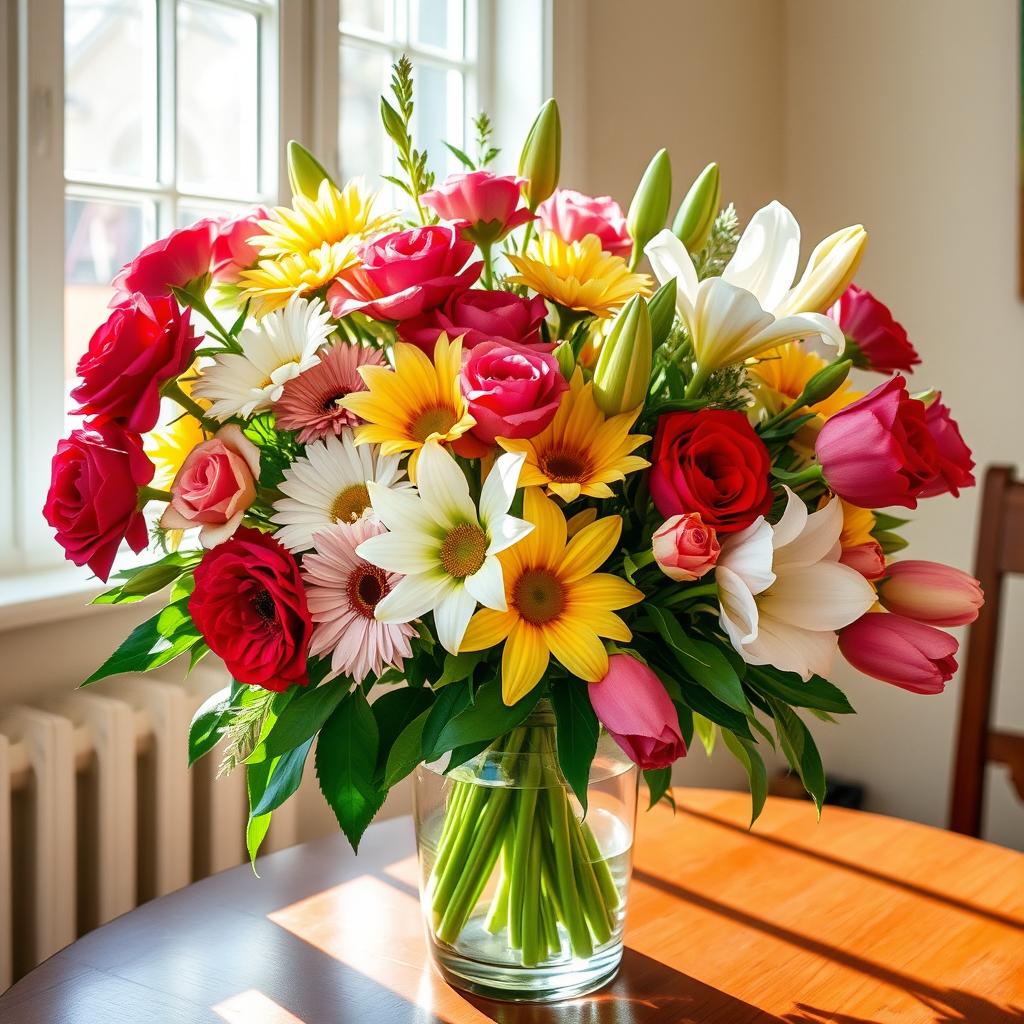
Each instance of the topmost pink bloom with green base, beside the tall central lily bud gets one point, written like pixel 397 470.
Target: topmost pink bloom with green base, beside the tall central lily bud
pixel 485 206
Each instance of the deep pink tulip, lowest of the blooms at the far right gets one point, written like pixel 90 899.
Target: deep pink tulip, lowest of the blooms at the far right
pixel 899 651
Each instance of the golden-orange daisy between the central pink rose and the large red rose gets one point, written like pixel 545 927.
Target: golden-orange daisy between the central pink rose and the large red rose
pixel 581 452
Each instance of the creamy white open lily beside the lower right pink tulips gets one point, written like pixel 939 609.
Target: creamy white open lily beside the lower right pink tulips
pixel 784 593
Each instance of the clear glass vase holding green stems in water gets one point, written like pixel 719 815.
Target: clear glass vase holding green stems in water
pixel 524 897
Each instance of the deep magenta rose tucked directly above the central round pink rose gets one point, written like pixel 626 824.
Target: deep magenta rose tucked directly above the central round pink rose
pixel 480 316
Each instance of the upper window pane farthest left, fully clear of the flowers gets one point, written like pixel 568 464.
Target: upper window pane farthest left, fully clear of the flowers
pixel 111 89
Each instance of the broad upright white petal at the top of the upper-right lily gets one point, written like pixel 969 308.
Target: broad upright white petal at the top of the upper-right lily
pixel 766 259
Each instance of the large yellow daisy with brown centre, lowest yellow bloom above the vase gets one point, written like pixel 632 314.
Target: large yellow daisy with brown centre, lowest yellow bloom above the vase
pixel 558 604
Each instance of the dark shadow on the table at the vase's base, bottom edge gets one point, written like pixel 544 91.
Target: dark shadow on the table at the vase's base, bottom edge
pixel 646 991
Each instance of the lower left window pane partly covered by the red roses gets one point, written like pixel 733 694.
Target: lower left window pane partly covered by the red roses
pixel 101 236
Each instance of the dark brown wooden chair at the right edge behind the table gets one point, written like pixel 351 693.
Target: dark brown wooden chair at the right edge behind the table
pixel 1000 551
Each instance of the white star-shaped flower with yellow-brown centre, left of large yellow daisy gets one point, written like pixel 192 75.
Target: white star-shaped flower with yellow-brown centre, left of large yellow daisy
pixel 445 547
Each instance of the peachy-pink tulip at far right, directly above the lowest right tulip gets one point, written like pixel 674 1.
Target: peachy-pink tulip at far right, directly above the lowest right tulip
pixel 930 592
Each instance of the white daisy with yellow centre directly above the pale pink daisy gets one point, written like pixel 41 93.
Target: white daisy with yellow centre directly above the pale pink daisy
pixel 329 485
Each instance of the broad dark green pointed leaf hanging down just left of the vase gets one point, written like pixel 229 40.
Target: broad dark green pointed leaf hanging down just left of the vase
pixel 347 758
